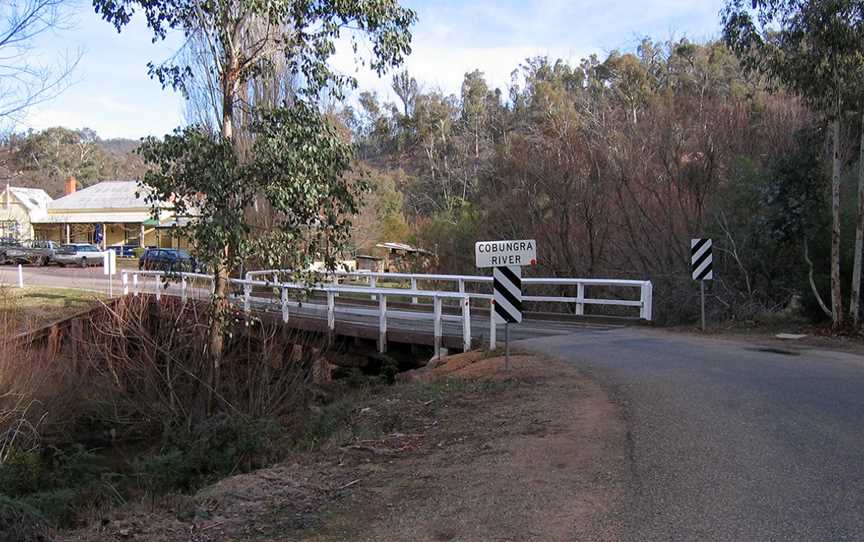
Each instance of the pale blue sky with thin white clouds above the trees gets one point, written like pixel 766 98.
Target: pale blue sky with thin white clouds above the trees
pixel 112 93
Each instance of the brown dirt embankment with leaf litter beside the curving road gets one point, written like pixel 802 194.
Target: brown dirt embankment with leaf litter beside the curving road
pixel 465 451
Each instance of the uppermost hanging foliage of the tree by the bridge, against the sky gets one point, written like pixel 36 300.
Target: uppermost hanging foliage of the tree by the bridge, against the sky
pixel 305 32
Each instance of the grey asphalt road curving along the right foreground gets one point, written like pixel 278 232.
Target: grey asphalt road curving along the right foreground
pixel 728 441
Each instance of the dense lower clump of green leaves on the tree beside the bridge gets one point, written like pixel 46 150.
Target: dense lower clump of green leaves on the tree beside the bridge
pixel 295 169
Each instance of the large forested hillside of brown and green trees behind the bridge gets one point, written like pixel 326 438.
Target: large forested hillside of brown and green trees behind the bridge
pixel 613 165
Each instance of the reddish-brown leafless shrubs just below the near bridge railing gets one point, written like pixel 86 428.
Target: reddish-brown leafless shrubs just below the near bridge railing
pixel 137 367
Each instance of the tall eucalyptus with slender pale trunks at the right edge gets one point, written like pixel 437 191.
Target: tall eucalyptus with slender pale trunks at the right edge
pixel 812 47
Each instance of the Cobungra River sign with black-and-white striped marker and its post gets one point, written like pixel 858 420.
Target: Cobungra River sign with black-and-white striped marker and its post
pixel 506 258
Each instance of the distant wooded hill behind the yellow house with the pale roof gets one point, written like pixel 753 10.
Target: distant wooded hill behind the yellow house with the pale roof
pixel 44 159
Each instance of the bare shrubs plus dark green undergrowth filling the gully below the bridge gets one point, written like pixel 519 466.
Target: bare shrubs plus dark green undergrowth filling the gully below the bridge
pixel 121 414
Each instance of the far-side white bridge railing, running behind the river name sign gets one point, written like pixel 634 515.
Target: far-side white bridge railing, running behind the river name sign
pixel 414 281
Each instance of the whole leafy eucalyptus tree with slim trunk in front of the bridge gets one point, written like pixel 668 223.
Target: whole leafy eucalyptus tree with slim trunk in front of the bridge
pixel 245 40
